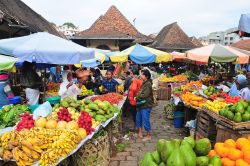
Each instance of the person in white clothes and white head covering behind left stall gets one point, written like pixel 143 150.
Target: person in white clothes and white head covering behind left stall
pixel 67 87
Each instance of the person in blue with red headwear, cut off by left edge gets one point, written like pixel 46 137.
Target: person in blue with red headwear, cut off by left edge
pixel 5 90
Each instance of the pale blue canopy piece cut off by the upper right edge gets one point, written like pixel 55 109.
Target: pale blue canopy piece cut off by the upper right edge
pixel 244 24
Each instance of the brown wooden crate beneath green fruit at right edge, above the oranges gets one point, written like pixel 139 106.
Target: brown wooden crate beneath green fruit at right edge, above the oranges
pixel 224 133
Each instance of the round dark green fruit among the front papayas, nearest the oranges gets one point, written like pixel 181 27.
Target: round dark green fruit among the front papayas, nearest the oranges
pixel 202 147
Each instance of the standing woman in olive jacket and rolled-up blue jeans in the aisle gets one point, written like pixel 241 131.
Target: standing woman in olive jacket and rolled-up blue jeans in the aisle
pixel 144 103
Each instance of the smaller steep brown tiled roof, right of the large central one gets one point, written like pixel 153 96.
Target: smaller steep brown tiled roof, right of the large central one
pixel 172 37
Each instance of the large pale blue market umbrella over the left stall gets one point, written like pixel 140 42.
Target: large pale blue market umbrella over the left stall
pixel 43 47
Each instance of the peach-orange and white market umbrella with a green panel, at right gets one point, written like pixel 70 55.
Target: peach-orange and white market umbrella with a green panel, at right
pixel 217 53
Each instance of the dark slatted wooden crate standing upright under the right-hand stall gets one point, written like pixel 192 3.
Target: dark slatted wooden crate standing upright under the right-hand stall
pixel 206 126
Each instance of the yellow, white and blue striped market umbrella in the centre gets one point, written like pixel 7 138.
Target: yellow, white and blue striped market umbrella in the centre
pixel 141 55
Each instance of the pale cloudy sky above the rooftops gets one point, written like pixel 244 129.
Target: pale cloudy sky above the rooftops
pixel 196 17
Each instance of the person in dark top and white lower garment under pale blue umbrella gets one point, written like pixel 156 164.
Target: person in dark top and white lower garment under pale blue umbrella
pixel 32 82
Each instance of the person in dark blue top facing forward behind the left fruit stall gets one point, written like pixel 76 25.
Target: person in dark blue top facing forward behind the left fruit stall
pixel 110 84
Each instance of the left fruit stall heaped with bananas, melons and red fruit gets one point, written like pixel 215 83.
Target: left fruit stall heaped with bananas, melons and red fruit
pixel 78 127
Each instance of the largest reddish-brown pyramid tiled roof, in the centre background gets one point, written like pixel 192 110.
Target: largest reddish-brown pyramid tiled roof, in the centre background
pixel 112 25
